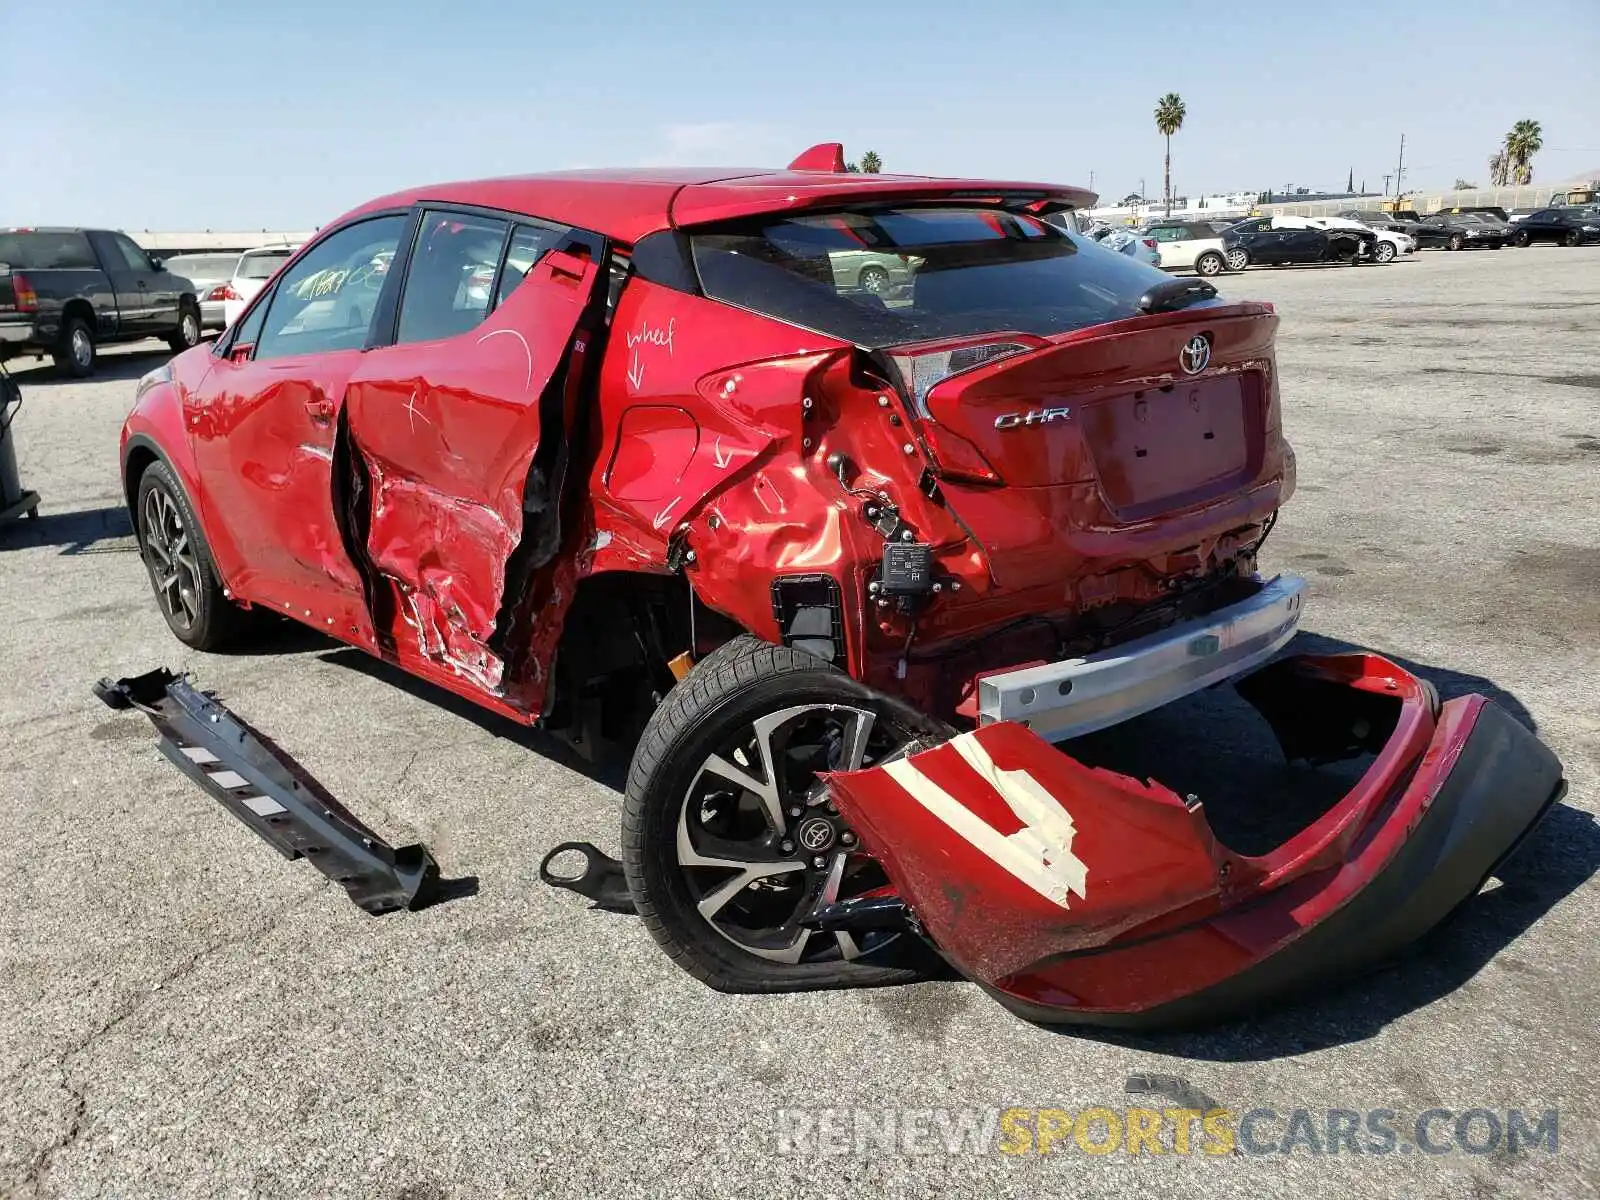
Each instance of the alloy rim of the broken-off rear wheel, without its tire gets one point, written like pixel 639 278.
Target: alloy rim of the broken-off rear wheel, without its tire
pixel 759 842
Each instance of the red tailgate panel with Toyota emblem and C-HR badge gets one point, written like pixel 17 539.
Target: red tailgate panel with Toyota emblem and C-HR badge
pixel 1095 436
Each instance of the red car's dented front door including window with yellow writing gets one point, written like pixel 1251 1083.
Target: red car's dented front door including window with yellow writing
pixel 265 430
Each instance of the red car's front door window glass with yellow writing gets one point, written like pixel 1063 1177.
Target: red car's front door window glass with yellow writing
pixel 327 300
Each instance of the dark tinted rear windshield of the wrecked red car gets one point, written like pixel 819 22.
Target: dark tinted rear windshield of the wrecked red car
pixel 894 276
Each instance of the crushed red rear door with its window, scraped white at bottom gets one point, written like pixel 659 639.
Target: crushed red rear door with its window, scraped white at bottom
pixel 460 442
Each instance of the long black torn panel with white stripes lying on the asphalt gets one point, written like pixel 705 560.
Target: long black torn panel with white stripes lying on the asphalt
pixel 274 796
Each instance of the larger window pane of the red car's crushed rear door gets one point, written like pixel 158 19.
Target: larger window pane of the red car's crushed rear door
pixel 449 289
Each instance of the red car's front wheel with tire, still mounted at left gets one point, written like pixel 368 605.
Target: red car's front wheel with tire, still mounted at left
pixel 182 569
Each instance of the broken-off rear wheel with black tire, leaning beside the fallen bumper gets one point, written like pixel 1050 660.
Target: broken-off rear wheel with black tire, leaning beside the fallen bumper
pixel 745 706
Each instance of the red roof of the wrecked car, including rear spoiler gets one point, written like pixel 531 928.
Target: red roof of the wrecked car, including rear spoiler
pixel 630 204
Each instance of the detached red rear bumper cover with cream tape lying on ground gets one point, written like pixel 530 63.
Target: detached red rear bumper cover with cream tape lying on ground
pixel 1079 895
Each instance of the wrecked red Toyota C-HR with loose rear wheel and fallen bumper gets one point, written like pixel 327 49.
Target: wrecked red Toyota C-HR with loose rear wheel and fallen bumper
pixel 636 457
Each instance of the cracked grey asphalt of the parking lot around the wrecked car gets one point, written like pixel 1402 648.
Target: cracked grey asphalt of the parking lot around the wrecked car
pixel 185 1014
